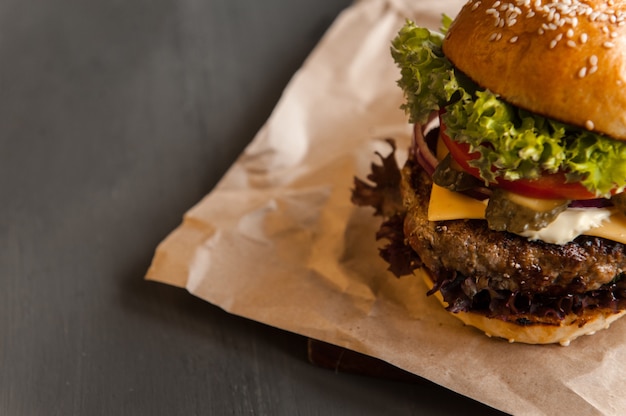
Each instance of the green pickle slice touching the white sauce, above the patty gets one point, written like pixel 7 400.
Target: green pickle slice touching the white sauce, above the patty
pixel 507 211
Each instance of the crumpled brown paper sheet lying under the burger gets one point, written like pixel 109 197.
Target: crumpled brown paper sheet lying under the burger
pixel 279 242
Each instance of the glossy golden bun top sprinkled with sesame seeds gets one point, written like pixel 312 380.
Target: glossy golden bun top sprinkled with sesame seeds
pixel 563 59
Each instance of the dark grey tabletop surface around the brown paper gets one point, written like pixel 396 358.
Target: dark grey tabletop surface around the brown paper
pixel 115 118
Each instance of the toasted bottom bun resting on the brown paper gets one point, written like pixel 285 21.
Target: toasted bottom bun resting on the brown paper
pixel 535 332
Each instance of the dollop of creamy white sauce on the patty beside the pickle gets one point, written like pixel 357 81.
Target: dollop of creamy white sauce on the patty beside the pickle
pixel 570 224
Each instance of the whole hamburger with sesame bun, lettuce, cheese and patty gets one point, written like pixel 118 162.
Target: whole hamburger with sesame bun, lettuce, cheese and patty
pixel 511 203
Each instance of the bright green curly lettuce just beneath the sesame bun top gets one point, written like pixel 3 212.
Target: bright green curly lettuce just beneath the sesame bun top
pixel 512 143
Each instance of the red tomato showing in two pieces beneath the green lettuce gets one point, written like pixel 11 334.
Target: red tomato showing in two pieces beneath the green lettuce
pixel 548 186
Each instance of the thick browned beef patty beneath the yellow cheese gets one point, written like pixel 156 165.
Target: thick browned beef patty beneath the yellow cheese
pixel 501 260
